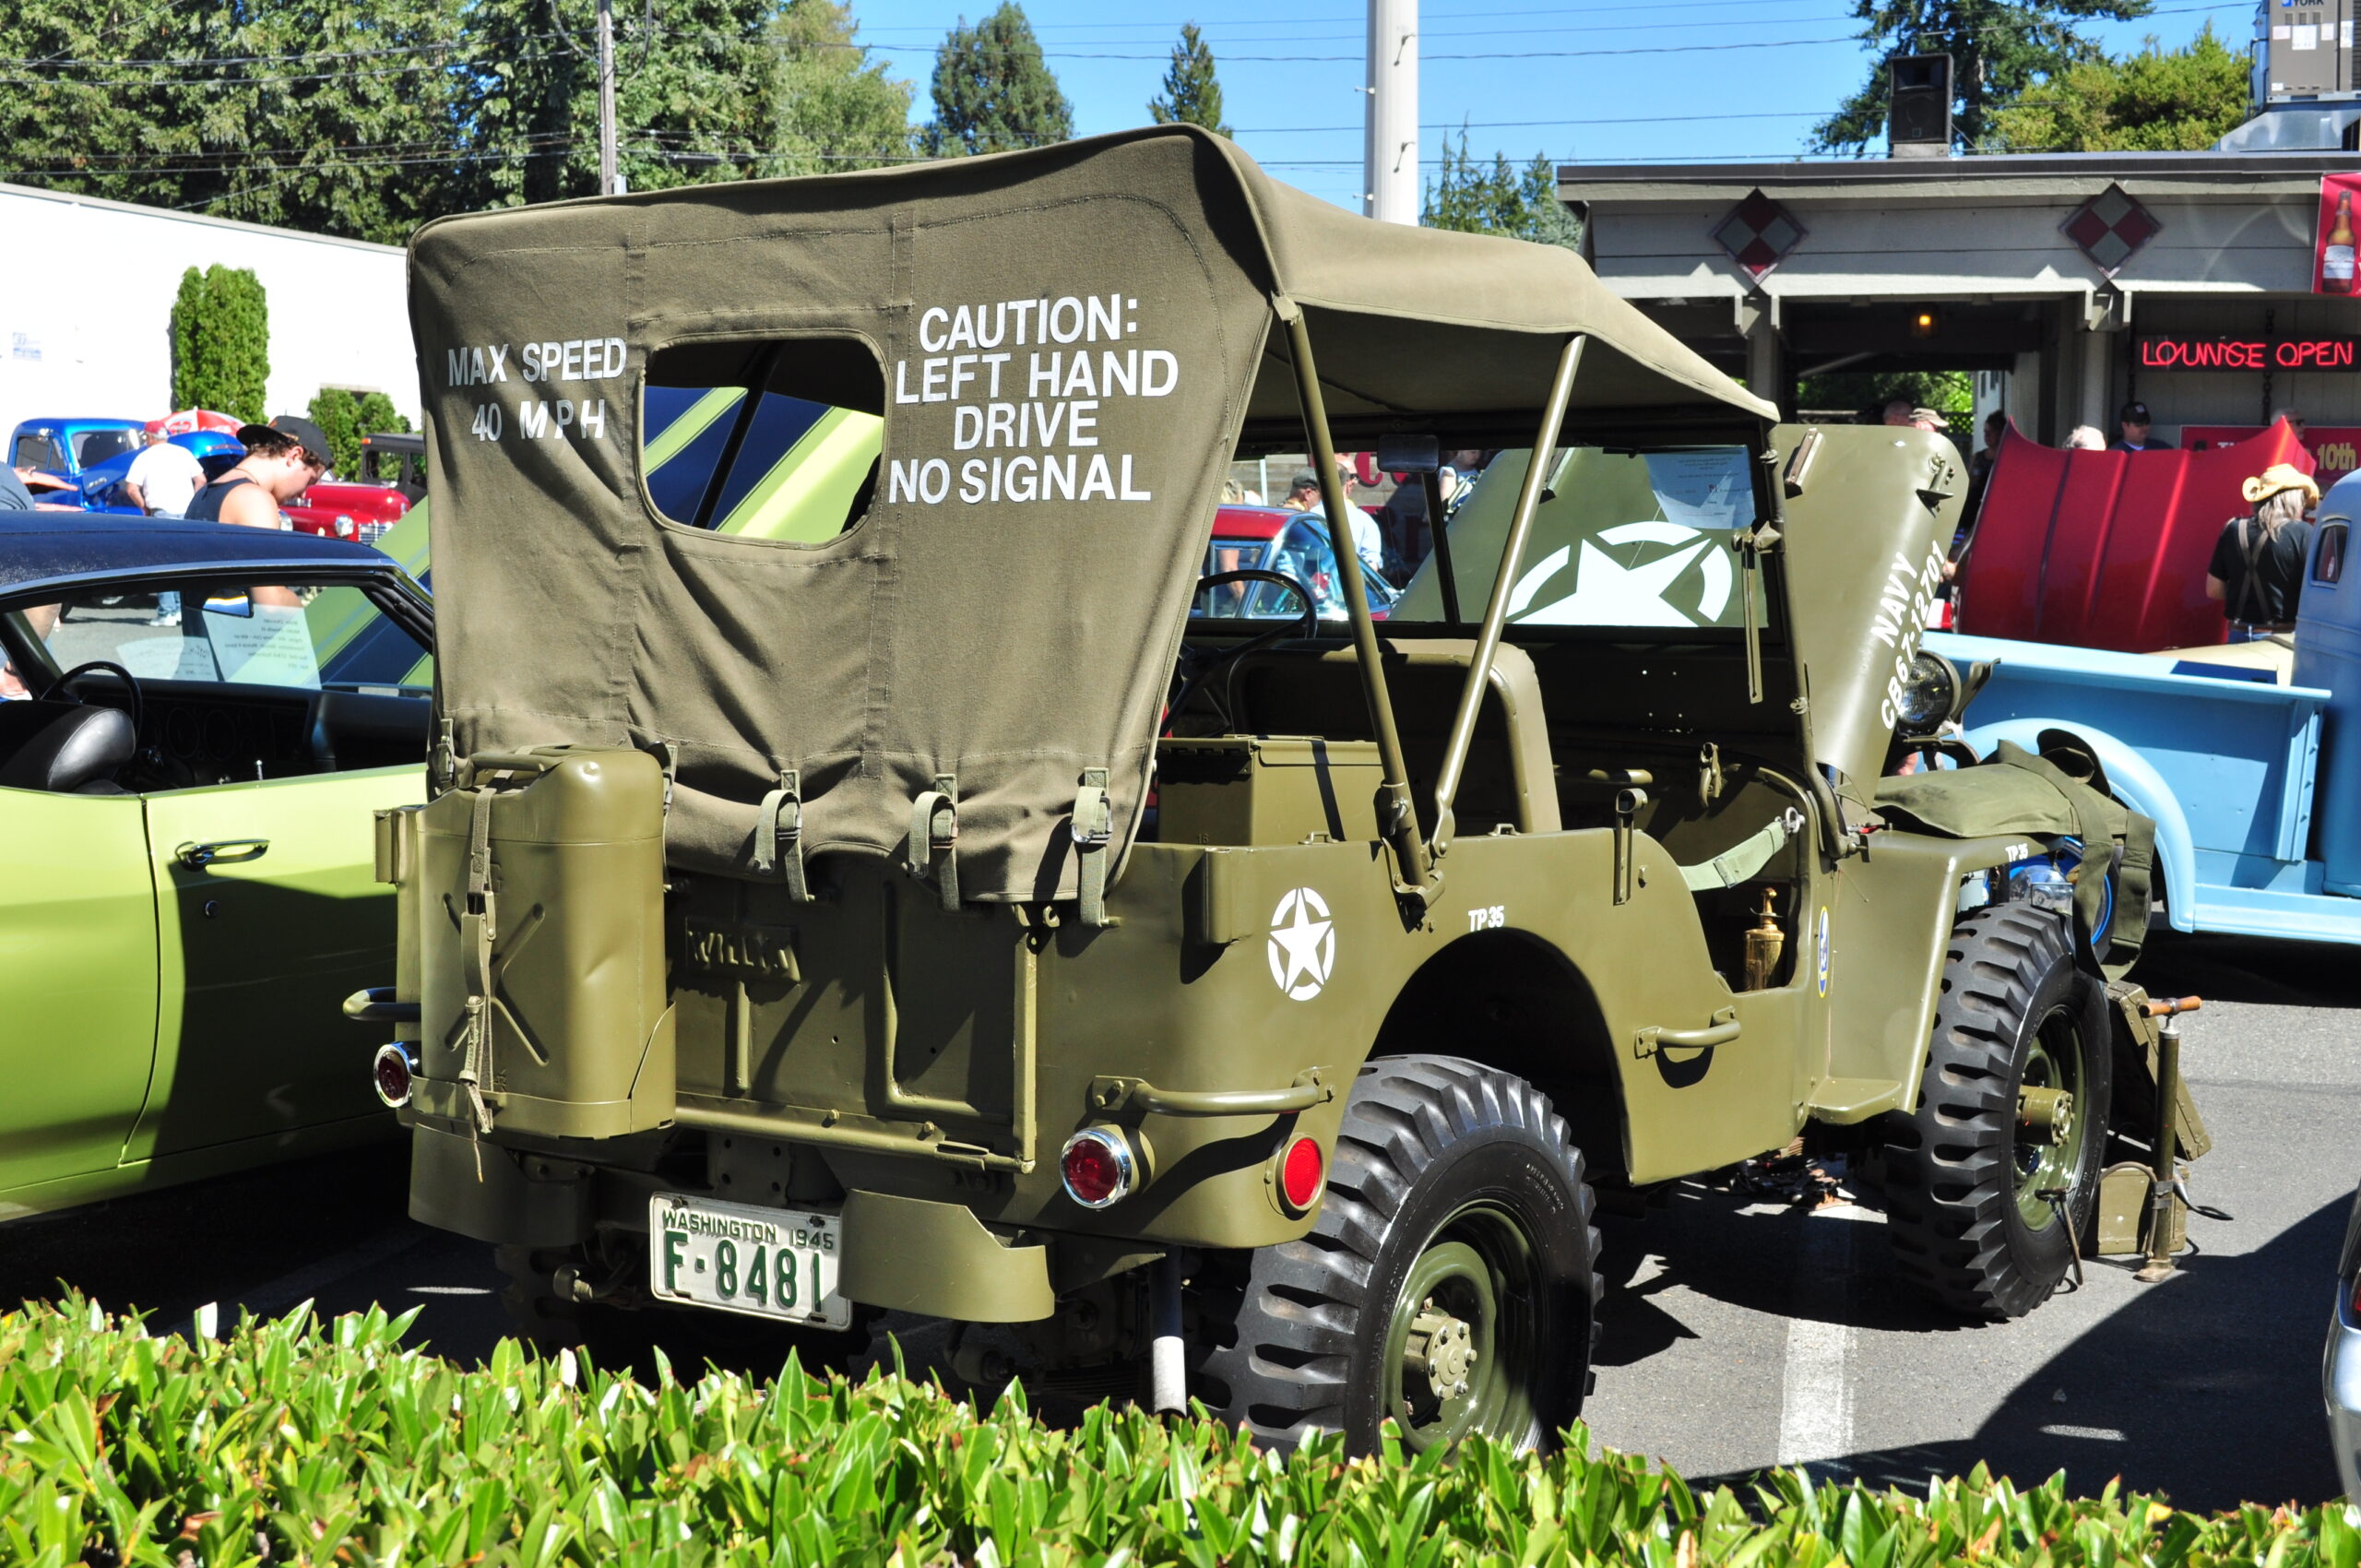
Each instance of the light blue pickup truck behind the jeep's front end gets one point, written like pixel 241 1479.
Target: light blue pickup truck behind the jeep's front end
pixel 2249 759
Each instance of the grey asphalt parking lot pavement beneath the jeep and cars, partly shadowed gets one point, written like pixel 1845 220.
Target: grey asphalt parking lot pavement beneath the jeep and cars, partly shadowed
pixel 1737 1333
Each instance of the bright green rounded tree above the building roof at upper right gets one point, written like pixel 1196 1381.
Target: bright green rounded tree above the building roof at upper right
pixel 2150 103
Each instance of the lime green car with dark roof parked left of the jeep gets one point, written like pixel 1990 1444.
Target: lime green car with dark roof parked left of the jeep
pixel 204 724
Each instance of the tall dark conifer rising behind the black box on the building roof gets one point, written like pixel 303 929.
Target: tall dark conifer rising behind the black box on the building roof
pixel 1996 48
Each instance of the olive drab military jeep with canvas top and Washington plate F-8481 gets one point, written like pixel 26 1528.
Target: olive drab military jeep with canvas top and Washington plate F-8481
pixel 856 880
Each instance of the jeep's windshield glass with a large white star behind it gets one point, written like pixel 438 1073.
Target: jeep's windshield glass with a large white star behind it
pixel 1633 540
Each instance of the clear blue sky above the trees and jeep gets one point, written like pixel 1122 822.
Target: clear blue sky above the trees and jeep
pixel 1583 81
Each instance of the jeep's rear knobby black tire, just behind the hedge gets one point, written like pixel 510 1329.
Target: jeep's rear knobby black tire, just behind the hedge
pixel 1448 1279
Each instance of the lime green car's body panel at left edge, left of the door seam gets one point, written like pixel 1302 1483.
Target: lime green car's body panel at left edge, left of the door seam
pixel 77 986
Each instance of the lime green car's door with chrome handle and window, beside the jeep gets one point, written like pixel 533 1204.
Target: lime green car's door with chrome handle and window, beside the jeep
pixel 280 721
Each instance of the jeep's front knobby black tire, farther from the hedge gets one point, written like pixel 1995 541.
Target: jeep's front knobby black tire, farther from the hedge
pixel 1966 1172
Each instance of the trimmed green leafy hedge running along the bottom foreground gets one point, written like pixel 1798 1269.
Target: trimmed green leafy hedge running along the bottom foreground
pixel 303 1444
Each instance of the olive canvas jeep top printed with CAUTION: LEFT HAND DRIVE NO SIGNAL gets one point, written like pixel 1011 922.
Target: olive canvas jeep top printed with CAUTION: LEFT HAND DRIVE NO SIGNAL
pixel 1064 348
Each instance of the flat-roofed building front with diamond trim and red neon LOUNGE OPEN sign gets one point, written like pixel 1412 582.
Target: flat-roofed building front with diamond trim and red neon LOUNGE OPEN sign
pixel 2072 282
